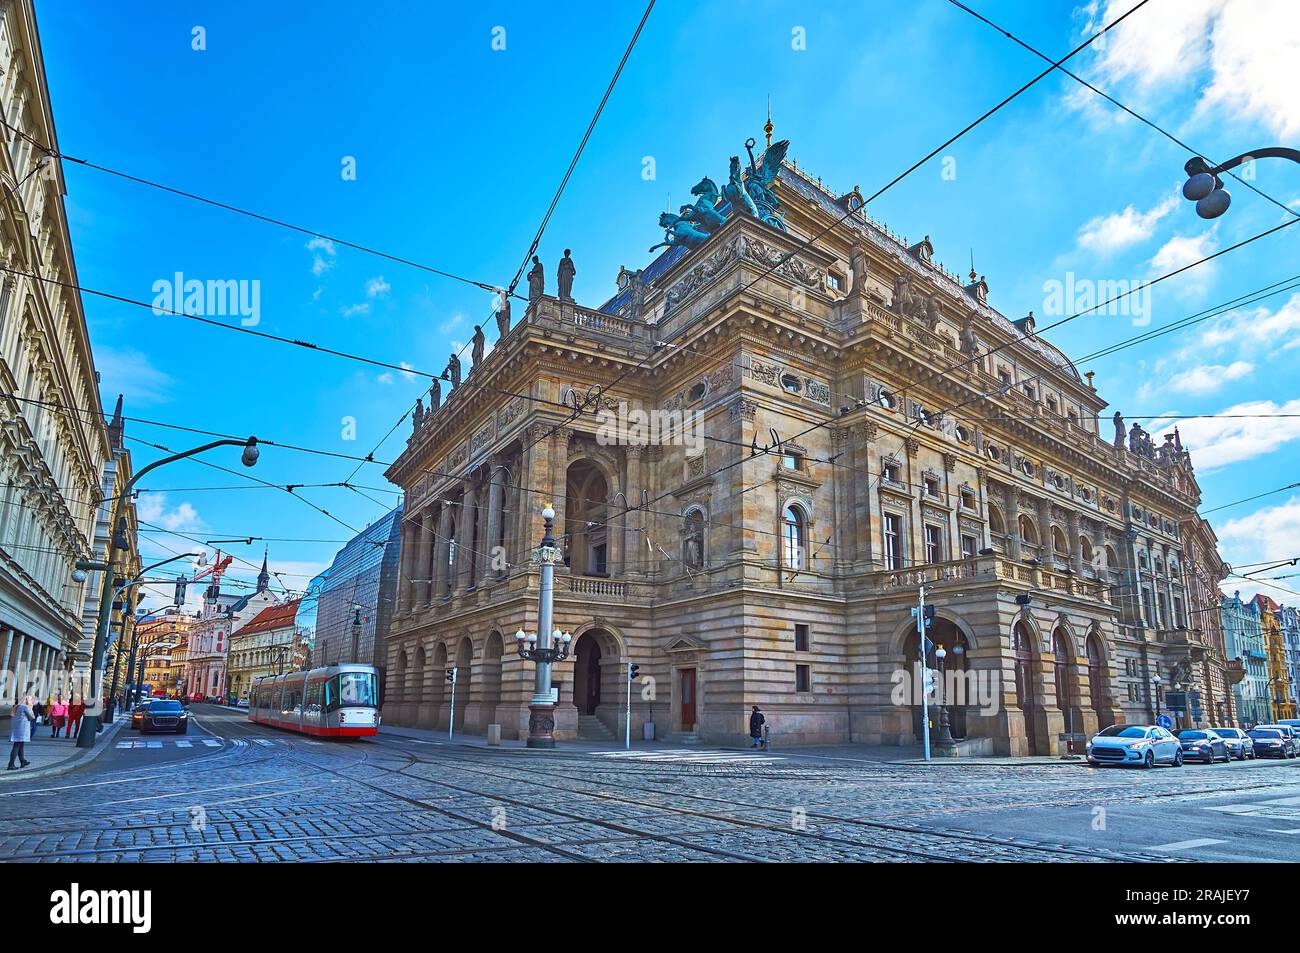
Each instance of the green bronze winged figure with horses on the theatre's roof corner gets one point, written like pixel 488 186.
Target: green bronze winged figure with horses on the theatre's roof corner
pixel 748 190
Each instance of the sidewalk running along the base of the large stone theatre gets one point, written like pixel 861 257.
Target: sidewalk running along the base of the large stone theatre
pixel 874 755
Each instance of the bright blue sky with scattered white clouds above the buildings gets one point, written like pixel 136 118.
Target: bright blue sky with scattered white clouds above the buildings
pixel 460 148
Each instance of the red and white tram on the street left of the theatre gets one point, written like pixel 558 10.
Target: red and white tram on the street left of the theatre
pixel 337 701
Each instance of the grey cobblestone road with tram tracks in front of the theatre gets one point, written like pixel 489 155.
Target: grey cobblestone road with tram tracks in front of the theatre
pixel 231 791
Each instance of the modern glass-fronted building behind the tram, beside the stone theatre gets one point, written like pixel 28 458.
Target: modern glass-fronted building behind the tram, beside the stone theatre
pixel 361 583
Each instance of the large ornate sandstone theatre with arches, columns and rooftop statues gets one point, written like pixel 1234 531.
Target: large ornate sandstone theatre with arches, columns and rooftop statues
pixel 761 450
